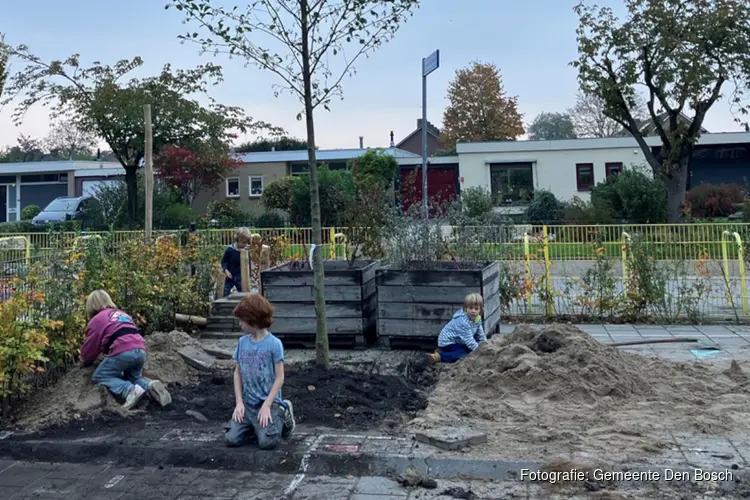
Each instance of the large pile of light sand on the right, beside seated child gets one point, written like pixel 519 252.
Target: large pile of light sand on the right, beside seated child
pixel 538 392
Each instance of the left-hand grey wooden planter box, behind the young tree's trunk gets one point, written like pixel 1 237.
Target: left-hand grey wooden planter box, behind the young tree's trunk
pixel 351 300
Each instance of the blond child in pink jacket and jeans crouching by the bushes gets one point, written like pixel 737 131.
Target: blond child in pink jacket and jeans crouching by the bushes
pixel 112 332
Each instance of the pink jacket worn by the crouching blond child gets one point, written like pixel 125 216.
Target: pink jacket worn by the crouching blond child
pixel 100 331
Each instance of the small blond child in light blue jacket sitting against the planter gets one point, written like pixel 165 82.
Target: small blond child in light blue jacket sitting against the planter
pixel 462 334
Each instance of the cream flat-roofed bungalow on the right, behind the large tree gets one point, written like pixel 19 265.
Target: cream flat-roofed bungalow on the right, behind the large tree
pixel 513 170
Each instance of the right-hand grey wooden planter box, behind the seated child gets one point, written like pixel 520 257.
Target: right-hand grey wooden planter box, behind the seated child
pixel 413 306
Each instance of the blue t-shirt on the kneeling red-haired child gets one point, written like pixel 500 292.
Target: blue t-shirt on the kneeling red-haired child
pixel 257 362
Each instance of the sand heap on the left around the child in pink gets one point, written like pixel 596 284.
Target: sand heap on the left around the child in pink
pixel 74 396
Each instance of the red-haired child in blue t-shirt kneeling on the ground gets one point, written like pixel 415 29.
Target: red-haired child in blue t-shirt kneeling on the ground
pixel 258 377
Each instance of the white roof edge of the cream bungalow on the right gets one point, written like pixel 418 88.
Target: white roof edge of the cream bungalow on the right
pixel 592 143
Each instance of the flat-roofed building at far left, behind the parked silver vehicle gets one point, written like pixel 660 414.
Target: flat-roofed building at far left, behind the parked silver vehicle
pixel 38 183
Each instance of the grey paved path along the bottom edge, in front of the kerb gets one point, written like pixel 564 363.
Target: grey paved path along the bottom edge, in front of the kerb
pixel 25 480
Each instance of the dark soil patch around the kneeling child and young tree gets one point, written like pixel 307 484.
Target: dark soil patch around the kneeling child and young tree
pixel 338 398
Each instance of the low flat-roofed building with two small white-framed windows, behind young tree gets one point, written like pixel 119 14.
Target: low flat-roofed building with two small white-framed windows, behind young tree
pixel 246 183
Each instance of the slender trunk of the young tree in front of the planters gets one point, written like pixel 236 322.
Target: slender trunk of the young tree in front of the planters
pixel 321 330
